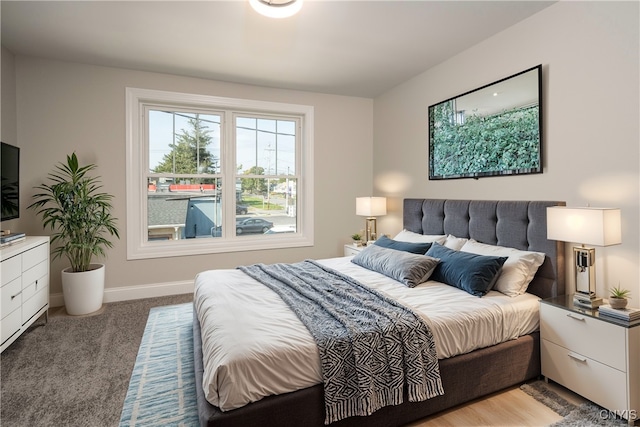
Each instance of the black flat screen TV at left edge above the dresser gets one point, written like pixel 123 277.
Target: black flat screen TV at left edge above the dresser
pixel 10 188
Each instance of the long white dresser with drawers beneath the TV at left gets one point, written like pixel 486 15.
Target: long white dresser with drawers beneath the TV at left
pixel 24 295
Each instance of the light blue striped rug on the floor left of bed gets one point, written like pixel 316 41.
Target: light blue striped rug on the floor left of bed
pixel 162 390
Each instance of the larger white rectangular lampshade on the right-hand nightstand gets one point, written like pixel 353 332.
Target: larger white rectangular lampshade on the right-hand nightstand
pixel 589 226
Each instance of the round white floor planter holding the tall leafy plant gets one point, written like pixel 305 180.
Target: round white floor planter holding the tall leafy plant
pixel 83 292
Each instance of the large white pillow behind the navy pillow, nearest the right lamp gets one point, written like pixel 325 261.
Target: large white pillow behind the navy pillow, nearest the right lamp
pixel 517 271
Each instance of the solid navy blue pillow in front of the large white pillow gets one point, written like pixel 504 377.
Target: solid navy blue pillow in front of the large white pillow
pixel 473 273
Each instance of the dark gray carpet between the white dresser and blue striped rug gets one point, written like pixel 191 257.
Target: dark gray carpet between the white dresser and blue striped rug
pixel 75 371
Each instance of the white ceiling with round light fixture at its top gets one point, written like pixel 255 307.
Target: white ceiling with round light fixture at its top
pixel 356 48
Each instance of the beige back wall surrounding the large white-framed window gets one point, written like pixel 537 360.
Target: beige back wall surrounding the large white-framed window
pixel 64 107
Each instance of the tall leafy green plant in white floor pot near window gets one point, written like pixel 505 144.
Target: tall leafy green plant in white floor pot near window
pixel 79 214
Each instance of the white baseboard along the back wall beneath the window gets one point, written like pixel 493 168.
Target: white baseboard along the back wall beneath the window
pixel 126 293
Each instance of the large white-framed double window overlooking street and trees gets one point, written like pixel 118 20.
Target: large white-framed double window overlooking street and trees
pixel 208 174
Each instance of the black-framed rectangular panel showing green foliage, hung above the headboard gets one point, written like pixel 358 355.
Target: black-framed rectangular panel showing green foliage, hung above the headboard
pixel 490 131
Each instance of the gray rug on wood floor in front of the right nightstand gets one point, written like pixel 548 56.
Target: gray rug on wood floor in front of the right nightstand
pixel 584 415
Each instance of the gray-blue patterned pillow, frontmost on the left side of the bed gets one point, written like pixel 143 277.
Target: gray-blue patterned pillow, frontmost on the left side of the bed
pixel 405 267
